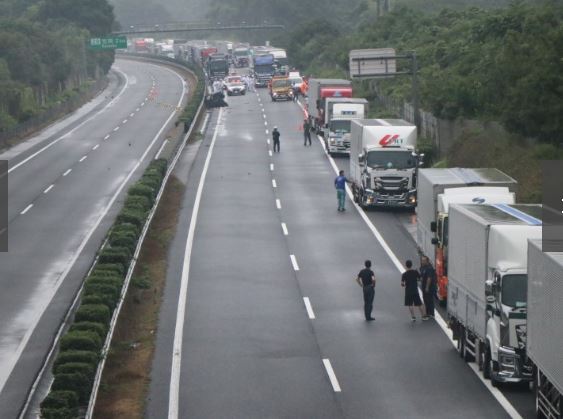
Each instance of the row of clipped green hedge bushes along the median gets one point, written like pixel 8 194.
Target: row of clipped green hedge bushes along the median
pixel 80 348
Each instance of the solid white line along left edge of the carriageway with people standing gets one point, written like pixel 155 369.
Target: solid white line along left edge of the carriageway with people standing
pixel 174 396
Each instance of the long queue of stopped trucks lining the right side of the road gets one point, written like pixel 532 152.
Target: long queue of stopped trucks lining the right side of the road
pixel 503 294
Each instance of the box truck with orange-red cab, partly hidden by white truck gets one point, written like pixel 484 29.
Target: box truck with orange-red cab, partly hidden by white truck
pixel 437 189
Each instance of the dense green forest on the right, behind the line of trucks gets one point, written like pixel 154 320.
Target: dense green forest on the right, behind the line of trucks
pixel 500 64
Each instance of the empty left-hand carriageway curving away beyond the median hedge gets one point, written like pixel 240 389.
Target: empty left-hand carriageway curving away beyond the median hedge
pixel 65 188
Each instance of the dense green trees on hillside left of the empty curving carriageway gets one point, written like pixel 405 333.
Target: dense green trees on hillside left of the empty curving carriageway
pixel 43 54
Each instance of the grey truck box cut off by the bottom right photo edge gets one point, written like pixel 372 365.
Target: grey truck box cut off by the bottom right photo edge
pixel 544 341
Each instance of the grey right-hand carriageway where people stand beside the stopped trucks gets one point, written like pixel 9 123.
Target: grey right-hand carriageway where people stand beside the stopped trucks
pixel 262 317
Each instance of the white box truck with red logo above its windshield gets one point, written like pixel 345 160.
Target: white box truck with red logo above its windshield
pixel 383 162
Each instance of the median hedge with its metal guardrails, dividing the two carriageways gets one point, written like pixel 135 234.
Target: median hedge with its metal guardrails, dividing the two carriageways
pixel 105 288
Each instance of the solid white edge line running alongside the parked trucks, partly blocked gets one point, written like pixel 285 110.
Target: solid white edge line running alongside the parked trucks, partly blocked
pixel 497 394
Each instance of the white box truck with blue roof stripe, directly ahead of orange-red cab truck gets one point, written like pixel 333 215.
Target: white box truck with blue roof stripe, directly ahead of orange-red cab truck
pixel 488 249
